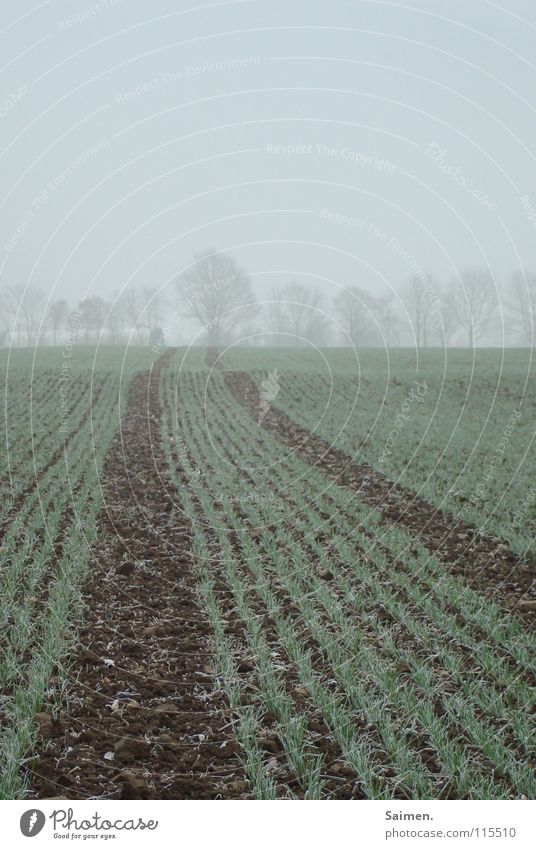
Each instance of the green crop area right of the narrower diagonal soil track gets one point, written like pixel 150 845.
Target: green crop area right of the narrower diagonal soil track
pixel 459 451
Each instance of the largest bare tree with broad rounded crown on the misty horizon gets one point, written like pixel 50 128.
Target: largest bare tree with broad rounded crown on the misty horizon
pixel 217 294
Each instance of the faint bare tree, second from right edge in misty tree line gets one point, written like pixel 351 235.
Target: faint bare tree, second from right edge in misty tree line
pixel 472 302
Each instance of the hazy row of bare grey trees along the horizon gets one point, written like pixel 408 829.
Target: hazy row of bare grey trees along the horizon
pixel 216 295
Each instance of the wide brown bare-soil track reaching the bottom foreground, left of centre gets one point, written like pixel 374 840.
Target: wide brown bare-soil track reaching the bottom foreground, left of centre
pixel 141 686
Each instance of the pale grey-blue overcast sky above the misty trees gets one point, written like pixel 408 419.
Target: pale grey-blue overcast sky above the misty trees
pixel 345 142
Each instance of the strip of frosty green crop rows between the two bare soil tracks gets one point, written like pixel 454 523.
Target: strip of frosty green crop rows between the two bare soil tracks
pixel 361 653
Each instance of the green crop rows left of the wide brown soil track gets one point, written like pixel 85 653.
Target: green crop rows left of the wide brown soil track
pixel 44 556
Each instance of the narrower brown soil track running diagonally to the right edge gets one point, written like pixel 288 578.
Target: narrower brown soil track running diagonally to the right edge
pixel 485 564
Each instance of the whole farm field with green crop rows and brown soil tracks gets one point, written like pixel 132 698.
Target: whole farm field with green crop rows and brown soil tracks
pixel 319 584
